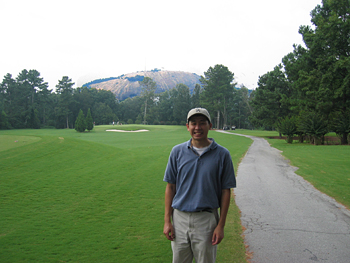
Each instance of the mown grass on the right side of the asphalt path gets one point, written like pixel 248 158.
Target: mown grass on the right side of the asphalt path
pixel 326 167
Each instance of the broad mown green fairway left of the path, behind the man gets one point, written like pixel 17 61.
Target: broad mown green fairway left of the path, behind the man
pixel 96 196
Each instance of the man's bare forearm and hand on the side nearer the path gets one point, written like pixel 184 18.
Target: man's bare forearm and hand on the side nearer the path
pixel 218 234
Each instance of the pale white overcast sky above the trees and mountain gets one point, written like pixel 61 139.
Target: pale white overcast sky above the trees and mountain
pixel 87 40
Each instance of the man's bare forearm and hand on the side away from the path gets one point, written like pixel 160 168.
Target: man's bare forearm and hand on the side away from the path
pixel 168 230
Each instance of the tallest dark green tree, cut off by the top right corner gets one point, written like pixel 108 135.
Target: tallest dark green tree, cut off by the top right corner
pixel 326 84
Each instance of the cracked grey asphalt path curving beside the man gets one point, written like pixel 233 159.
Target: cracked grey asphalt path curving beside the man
pixel 285 218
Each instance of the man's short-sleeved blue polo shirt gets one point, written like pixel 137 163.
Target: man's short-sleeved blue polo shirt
pixel 199 179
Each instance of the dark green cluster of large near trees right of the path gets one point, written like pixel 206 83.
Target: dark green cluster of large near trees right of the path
pixel 308 94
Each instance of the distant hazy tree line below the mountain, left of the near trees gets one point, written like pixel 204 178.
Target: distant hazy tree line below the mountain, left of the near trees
pixel 27 102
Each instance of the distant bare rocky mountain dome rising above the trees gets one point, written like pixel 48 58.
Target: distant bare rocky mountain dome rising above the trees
pixel 127 85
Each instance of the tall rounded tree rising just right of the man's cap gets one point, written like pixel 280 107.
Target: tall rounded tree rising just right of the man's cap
pixel 217 90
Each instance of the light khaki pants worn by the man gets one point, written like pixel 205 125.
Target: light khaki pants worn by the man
pixel 193 235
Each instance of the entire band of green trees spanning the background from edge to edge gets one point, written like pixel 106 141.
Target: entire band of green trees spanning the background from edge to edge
pixel 307 95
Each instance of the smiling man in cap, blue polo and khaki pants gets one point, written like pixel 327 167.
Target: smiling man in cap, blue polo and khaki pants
pixel 199 176
